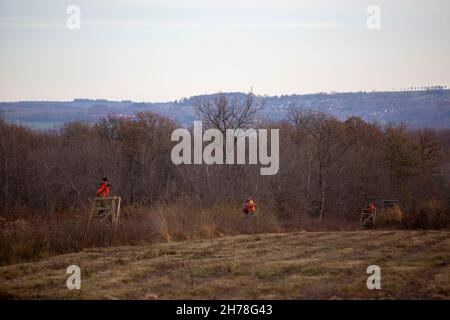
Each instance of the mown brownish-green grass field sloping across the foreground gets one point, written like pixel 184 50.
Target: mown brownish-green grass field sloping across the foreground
pixel 305 265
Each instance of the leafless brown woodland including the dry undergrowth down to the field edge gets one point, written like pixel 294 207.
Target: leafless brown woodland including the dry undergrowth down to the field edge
pixel 328 171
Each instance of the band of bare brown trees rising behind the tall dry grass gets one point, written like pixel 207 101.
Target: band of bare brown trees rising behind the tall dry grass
pixel 328 169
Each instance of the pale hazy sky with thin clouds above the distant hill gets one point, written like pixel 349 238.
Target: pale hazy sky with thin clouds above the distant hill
pixel 159 50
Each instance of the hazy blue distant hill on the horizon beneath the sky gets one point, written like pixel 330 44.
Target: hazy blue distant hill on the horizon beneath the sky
pixel 427 108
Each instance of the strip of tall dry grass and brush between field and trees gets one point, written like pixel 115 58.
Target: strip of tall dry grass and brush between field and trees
pixel 27 237
